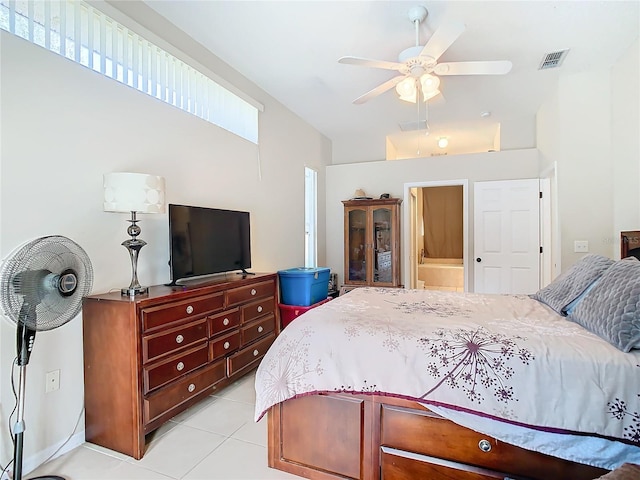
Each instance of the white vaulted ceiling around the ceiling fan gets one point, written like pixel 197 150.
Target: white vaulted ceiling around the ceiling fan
pixel 291 50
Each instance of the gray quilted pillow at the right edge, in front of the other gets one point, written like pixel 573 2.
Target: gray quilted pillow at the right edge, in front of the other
pixel 611 309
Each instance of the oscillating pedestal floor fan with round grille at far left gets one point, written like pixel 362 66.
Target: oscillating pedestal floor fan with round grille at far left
pixel 41 288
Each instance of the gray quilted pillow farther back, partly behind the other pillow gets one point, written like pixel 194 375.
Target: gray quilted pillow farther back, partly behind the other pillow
pixel 570 284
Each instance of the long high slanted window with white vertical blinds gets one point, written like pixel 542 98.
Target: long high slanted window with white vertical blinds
pixel 83 34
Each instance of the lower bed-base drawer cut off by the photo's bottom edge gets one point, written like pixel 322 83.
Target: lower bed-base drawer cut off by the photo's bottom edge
pixel 399 465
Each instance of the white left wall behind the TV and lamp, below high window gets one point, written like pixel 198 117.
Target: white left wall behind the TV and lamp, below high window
pixel 63 126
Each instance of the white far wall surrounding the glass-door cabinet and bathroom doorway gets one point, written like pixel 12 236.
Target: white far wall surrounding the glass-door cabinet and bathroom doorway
pixel 390 177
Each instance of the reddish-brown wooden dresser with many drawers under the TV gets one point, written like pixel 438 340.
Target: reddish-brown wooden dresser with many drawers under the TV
pixel 149 358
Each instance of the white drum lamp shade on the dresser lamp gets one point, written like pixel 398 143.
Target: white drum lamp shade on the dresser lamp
pixel 133 192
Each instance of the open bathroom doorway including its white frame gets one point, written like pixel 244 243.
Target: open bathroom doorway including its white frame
pixel 437 235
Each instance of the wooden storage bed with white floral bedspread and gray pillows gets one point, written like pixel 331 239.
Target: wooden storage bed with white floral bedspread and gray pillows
pixel 406 384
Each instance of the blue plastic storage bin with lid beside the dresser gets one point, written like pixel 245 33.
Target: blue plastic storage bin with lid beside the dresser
pixel 303 286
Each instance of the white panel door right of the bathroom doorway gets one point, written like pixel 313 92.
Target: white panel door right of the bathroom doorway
pixel 507 236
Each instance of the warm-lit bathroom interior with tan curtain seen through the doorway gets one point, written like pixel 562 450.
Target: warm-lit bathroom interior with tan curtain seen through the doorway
pixel 439 239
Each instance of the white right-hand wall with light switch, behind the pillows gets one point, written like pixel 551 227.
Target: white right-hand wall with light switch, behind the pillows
pixel 589 129
